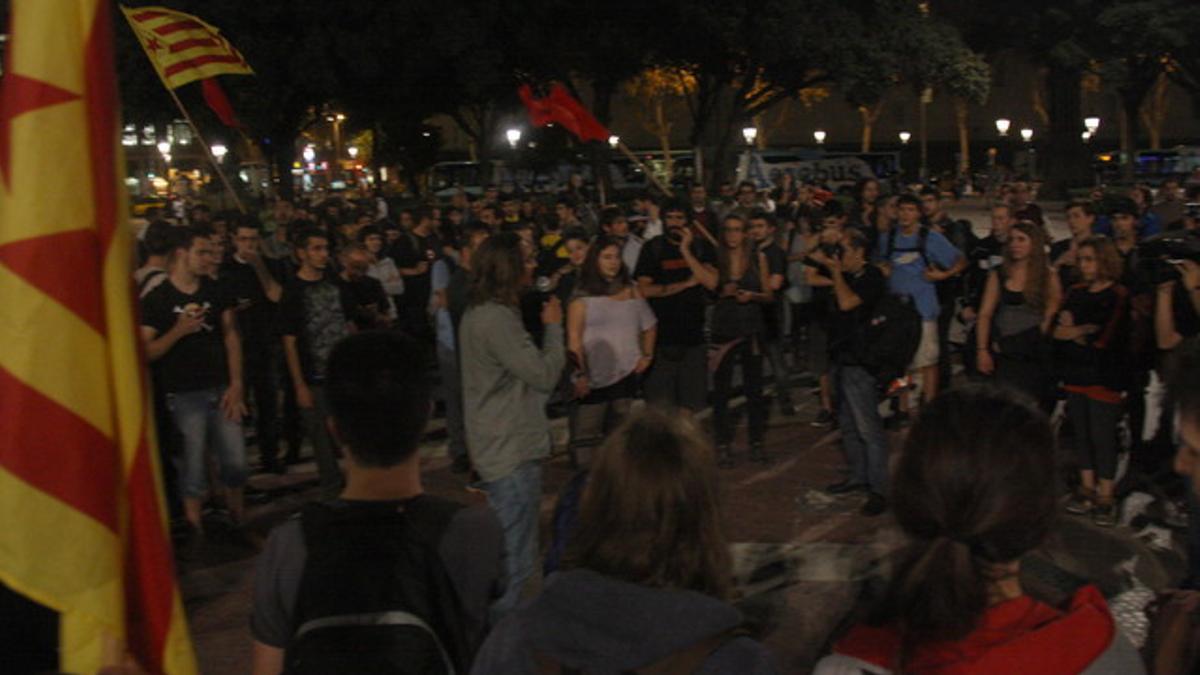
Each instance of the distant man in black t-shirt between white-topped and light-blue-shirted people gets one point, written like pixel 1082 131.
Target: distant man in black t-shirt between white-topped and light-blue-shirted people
pixel 416 253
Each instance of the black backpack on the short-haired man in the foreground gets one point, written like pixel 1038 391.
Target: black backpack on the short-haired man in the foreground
pixel 375 596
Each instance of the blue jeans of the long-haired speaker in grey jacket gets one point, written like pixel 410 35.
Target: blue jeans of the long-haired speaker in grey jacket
pixel 517 500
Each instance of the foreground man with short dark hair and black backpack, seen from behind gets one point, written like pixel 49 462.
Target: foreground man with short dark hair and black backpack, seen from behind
pixel 383 549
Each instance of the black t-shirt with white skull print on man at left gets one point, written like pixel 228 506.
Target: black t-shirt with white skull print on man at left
pixel 199 361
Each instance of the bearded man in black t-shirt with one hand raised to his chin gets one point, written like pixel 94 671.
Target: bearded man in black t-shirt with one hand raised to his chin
pixel 673 273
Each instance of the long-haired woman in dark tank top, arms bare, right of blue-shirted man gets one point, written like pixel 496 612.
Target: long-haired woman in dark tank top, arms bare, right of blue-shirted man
pixel 1019 304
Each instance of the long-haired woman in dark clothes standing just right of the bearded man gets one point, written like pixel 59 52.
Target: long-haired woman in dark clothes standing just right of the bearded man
pixel 737 331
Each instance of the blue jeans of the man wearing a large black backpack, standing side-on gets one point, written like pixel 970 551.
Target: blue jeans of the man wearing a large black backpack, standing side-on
pixel 862 429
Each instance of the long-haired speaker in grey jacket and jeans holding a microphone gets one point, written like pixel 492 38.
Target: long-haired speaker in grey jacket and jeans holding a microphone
pixel 507 381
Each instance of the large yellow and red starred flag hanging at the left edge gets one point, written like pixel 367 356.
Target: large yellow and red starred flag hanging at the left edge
pixel 85 533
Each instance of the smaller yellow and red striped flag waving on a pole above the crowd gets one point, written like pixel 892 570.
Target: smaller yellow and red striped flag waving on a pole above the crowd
pixel 182 47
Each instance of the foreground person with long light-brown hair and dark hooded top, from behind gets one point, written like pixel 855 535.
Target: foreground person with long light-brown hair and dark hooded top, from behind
pixel 647 572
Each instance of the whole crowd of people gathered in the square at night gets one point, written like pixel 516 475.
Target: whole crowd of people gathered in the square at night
pixel 343 322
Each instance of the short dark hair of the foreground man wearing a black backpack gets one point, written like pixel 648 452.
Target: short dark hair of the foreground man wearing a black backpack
pixel 379 386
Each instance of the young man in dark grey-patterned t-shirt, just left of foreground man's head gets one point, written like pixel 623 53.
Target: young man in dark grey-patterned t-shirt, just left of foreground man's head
pixel 313 322
